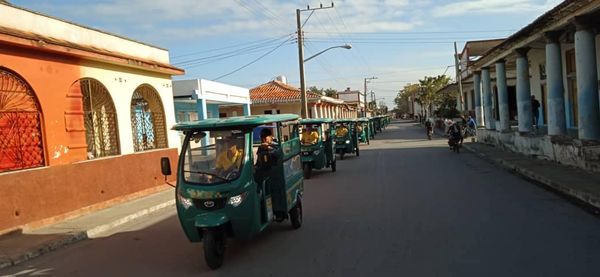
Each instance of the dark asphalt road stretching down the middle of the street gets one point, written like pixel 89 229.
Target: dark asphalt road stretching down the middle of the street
pixel 405 207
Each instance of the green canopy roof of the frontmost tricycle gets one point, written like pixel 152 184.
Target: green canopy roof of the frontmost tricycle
pixel 236 121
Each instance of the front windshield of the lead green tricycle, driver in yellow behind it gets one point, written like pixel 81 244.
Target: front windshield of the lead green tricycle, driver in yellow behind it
pixel 213 157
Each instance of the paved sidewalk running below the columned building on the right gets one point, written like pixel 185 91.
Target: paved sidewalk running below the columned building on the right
pixel 572 182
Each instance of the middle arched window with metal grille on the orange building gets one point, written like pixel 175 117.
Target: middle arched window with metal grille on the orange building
pixel 100 119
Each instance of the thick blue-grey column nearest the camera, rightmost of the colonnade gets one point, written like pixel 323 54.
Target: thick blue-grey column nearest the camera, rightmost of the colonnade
pixel 587 81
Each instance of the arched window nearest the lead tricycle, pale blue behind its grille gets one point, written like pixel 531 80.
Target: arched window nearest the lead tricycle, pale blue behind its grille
pixel 147 119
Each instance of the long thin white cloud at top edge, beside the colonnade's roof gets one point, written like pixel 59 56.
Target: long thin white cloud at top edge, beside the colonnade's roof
pixel 492 6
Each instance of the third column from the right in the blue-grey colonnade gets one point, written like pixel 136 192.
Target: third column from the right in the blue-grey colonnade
pixel 523 92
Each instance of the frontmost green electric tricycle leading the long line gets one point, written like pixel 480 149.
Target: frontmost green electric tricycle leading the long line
pixel 235 177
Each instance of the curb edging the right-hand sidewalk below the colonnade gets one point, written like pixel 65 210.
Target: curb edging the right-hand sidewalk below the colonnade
pixel 588 199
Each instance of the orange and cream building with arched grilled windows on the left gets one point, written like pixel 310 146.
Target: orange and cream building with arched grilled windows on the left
pixel 84 118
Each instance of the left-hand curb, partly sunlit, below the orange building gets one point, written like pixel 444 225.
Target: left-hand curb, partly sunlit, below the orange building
pixel 73 237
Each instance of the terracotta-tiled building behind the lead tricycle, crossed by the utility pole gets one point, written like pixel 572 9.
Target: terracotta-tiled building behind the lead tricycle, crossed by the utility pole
pixel 277 97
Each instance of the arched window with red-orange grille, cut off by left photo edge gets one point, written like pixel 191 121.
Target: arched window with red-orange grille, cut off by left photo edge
pixel 21 143
